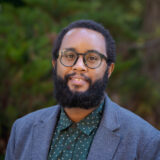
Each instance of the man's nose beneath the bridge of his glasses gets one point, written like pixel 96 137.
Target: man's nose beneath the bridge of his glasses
pixel 79 65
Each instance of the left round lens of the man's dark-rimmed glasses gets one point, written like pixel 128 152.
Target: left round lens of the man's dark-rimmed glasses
pixel 68 57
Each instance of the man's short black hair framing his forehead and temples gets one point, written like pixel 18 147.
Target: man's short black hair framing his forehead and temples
pixel 89 24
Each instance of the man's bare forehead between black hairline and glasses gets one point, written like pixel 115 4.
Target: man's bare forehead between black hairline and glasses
pixel 82 39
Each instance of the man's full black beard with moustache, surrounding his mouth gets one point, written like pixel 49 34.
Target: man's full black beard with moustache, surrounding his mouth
pixel 88 99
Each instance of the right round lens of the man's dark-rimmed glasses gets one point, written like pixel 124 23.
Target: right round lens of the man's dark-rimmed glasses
pixel 92 59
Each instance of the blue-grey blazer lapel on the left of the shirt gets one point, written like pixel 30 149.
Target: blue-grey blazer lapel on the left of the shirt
pixel 42 136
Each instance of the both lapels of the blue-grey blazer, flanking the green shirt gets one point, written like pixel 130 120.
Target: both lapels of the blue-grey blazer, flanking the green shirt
pixel 104 144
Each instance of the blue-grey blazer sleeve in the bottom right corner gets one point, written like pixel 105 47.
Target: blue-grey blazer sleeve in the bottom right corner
pixel 152 149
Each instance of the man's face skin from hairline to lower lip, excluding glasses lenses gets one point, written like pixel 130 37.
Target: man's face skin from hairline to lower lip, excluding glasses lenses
pixel 82 40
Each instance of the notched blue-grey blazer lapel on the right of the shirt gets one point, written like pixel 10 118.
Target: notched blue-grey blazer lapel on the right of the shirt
pixel 106 140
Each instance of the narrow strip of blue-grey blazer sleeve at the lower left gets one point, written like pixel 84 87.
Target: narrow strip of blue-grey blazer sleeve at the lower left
pixel 11 144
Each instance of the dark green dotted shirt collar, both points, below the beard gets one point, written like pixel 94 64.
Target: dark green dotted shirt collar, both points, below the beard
pixel 86 125
